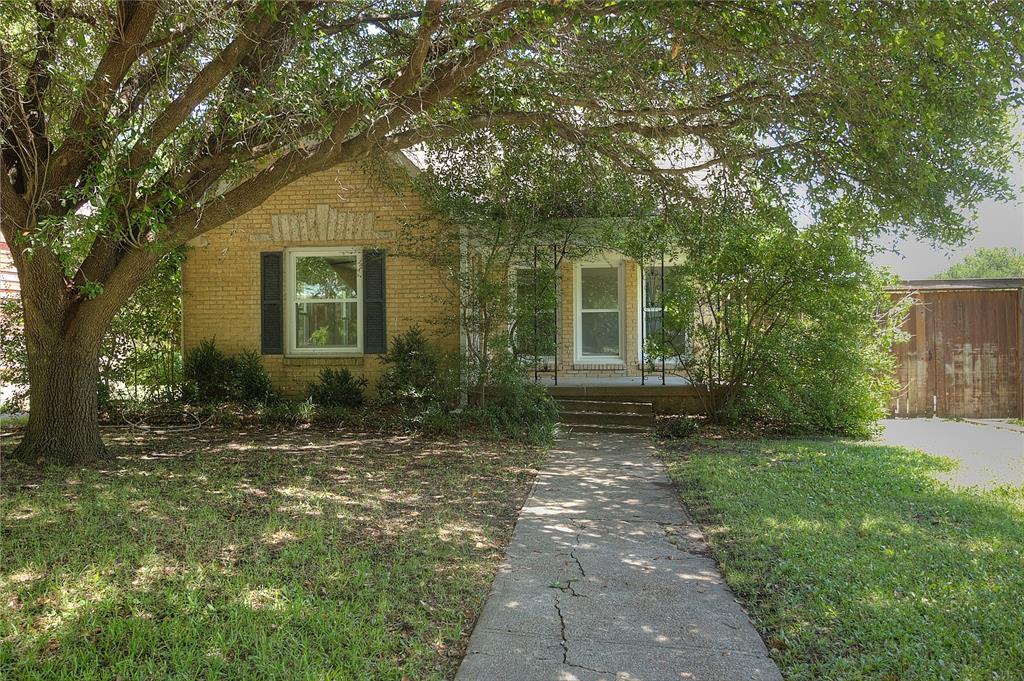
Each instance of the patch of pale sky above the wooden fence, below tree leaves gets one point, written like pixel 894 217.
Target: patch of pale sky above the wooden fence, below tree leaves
pixel 998 225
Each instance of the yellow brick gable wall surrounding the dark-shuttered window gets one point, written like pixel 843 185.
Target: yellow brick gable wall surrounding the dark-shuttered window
pixel 347 206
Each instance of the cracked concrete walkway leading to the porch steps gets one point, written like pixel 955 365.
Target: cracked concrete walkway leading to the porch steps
pixel 607 578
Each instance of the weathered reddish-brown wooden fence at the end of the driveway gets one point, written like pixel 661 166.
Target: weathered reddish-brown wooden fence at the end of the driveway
pixel 965 357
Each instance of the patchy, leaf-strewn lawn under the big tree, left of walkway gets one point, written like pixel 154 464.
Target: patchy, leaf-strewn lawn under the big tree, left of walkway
pixel 298 556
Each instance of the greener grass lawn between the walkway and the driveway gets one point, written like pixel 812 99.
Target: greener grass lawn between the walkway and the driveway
pixel 857 565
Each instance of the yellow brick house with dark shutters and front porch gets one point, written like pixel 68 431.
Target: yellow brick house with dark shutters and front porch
pixel 315 278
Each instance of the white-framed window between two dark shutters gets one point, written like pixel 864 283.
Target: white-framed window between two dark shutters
pixel 325 288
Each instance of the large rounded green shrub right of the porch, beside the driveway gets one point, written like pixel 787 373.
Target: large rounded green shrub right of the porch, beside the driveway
pixel 793 327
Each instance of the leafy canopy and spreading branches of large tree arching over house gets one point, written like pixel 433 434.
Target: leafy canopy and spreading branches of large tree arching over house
pixel 131 127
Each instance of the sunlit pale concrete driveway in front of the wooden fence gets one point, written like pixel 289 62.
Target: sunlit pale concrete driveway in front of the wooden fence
pixel 990 453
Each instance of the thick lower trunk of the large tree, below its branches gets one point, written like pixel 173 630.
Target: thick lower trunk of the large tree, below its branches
pixel 63 416
